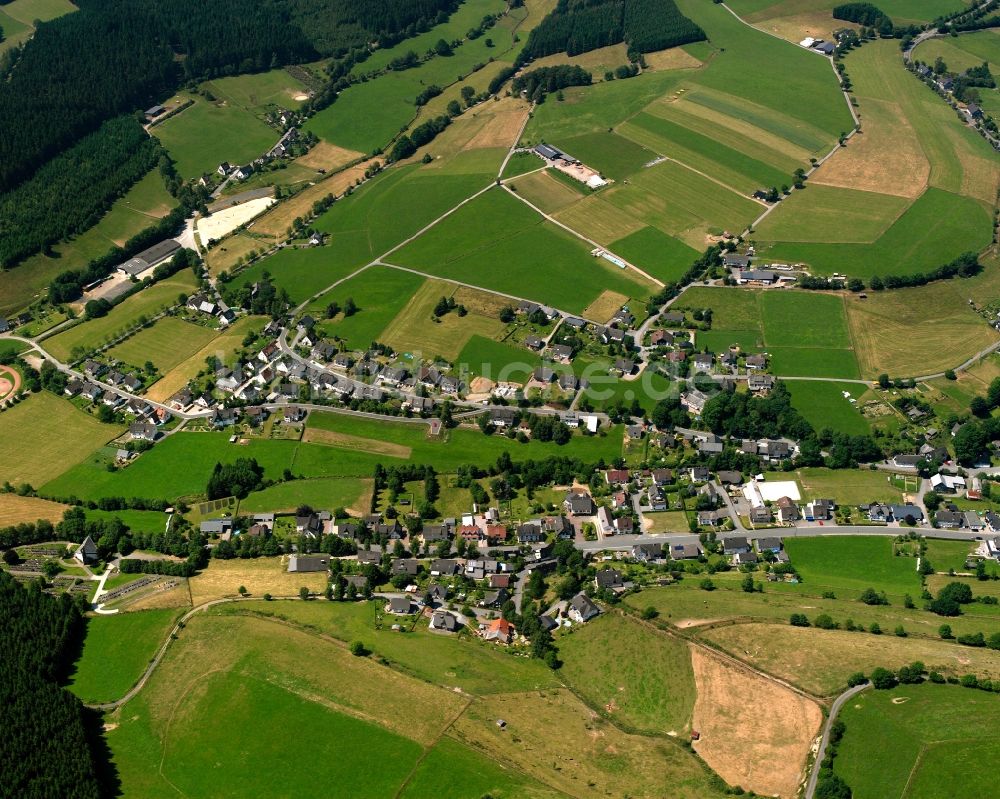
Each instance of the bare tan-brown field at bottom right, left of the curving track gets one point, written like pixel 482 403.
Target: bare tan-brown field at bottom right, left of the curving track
pixel 762 744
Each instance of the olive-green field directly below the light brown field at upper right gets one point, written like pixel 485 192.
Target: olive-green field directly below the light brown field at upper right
pixel 828 215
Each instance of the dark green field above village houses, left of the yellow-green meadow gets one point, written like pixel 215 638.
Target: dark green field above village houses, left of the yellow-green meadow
pixel 379 292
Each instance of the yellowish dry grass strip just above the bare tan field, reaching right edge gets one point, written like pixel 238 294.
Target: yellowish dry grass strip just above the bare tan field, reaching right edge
pixel 820 661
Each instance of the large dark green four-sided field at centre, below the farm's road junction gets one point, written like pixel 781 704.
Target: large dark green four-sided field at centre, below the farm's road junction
pixel 498 243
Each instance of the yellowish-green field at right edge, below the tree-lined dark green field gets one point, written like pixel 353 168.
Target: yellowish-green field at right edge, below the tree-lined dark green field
pixel 888 329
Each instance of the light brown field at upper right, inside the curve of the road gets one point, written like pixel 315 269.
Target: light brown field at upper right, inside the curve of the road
pixel 885 157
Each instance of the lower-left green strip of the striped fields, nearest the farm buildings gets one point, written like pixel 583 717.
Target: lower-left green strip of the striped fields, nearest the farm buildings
pixel 701 152
